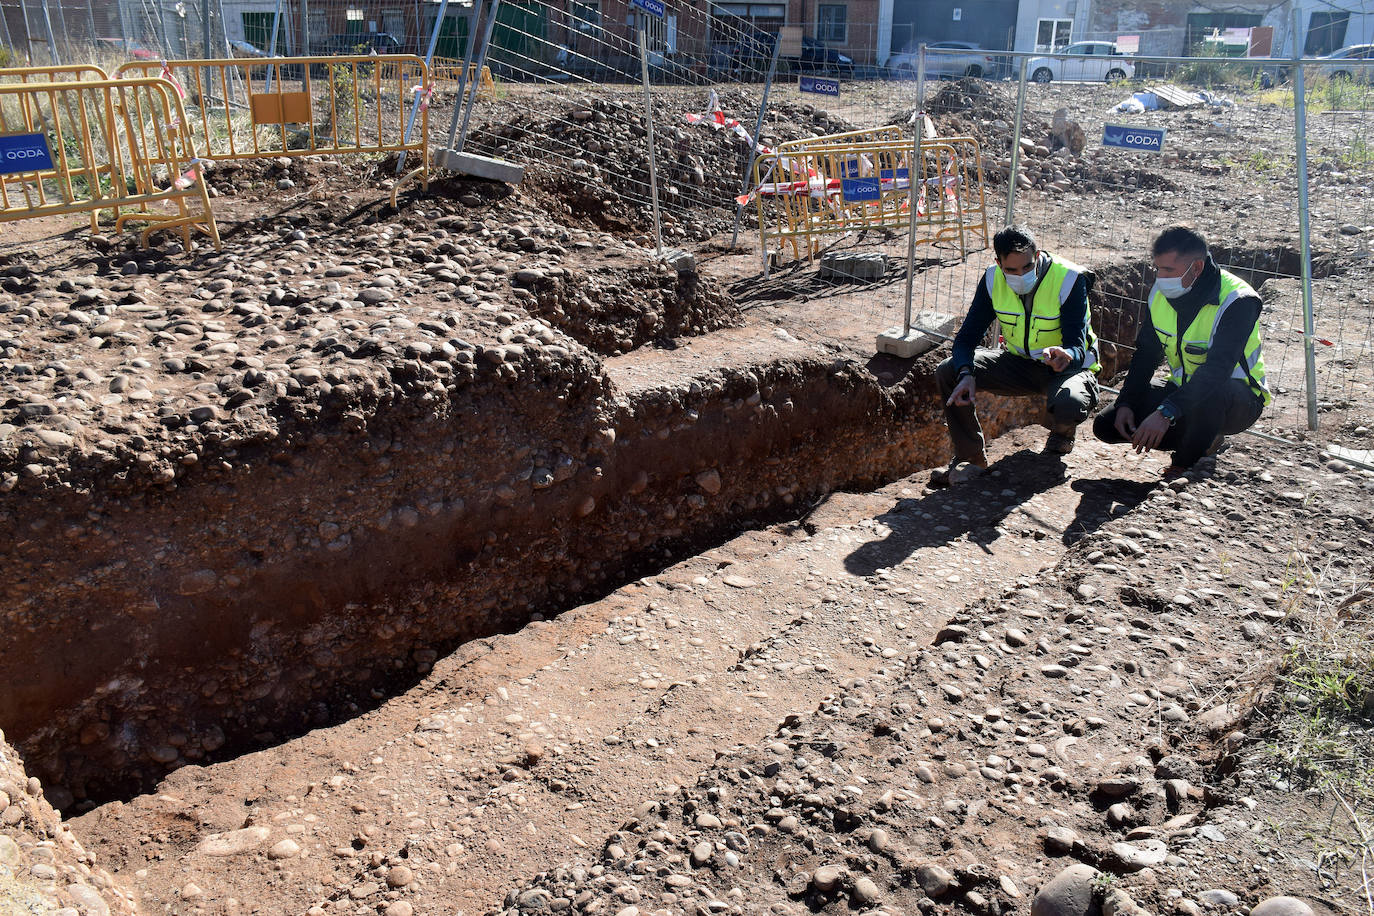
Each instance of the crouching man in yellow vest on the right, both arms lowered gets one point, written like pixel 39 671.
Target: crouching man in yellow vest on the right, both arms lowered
pixel 1206 323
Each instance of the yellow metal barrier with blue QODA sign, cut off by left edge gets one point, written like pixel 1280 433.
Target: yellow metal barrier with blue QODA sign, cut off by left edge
pixel 101 145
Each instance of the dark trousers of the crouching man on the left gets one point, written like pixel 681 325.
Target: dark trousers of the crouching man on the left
pixel 1070 396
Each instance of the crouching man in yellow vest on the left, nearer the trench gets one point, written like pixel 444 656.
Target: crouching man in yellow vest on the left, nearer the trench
pixel 1041 303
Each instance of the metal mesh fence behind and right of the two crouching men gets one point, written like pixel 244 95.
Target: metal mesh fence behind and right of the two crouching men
pixel 1228 163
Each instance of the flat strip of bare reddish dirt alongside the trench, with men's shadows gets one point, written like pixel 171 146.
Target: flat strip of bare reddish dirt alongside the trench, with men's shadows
pixel 523 749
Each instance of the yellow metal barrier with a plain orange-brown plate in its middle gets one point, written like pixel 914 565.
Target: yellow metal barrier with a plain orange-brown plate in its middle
pixel 267 108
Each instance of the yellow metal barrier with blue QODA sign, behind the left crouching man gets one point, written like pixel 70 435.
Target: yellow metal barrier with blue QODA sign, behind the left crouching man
pixel 806 194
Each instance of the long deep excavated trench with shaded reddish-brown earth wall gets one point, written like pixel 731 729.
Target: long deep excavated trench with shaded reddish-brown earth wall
pixel 330 566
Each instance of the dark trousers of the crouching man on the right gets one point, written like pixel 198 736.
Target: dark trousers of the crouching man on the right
pixel 1233 410
